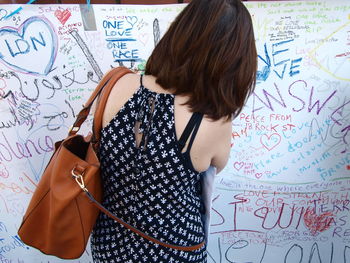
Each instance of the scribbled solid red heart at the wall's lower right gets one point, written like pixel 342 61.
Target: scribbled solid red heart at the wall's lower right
pixel 317 223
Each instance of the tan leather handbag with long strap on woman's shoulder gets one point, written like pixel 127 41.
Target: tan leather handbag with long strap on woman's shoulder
pixel 66 203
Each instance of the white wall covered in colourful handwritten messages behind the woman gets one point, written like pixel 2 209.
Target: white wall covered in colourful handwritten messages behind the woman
pixel 284 195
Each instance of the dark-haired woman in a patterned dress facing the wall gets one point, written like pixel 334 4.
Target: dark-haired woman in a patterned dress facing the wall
pixel 163 129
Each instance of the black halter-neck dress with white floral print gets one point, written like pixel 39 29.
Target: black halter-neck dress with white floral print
pixel 151 186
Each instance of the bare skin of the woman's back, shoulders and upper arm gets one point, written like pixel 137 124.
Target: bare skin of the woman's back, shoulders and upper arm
pixel 212 142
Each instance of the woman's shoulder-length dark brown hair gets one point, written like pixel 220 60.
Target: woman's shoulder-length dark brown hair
pixel 209 54
